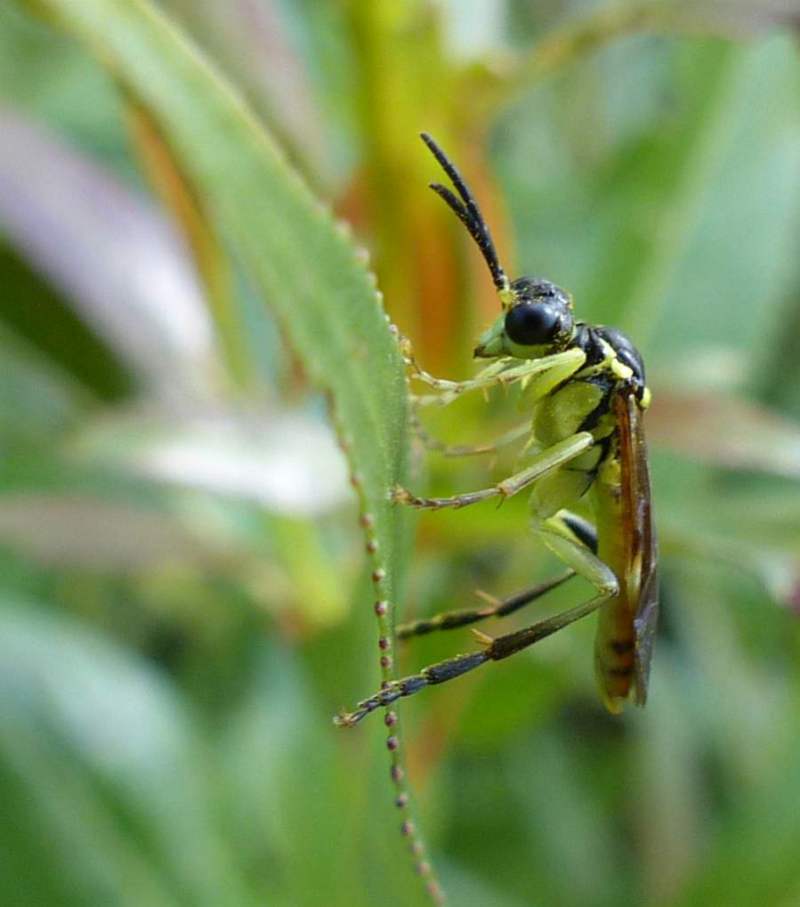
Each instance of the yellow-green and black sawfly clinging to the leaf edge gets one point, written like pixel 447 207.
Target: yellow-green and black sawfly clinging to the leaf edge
pixel 586 390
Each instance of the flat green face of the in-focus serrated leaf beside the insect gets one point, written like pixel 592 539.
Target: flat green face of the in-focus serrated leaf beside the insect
pixel 305 266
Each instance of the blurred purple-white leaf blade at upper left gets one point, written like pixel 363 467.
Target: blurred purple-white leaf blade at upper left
pixel 113 256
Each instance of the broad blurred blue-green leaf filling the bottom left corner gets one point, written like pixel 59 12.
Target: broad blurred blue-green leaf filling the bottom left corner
pixel 100 758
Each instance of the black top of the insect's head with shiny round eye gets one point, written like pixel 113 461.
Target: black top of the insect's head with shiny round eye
pixel 540 314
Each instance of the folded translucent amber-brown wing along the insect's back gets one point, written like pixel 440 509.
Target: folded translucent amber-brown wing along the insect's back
pixel 641 545
